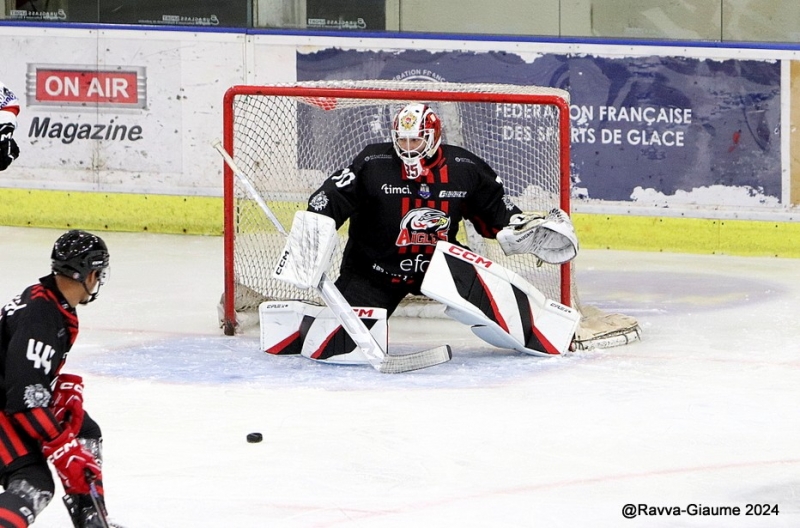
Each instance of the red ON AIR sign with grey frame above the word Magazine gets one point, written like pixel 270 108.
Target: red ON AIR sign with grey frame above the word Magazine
pixel 119 87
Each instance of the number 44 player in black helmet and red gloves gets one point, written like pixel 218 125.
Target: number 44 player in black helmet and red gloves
pixel 42 415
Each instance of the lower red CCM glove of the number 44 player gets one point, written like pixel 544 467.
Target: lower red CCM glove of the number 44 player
pixel 75 465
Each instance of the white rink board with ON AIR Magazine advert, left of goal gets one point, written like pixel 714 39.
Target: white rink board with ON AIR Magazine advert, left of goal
pixel 119 111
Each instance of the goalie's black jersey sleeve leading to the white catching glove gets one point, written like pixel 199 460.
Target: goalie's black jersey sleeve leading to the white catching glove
pixel 489 208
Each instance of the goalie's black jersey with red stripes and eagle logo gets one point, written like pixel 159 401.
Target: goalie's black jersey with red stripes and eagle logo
pixel 395 221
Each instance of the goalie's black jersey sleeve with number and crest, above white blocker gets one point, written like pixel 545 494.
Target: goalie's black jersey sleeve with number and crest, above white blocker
pixel 339 195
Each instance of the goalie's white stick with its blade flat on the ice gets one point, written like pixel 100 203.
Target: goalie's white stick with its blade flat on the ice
pixel 342 310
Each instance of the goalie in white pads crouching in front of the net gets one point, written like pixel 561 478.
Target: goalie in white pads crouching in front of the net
pixel 404 201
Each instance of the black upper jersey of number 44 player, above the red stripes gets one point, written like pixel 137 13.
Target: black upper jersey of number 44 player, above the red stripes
pixel 37 330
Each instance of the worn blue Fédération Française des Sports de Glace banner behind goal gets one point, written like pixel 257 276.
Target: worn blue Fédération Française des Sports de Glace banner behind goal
pixel 653 128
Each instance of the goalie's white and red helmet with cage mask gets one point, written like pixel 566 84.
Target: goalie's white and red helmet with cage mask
pixel 416 121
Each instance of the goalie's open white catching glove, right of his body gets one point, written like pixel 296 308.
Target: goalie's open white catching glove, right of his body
pixel 549 237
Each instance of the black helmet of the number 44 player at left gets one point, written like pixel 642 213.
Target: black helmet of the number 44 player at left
pixel 77 253
